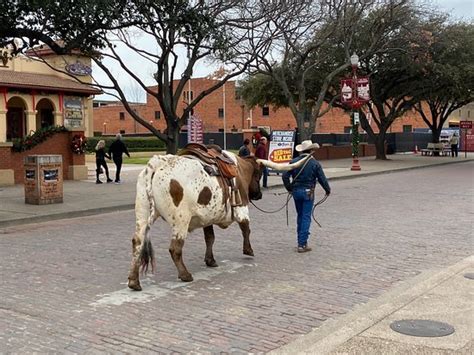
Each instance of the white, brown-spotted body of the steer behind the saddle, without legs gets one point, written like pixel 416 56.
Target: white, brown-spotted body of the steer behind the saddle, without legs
pixel 179 190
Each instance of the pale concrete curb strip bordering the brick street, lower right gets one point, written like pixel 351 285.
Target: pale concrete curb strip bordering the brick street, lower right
pixel 335 332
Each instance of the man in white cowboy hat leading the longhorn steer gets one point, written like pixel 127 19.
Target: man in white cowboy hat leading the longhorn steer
pixel 303 182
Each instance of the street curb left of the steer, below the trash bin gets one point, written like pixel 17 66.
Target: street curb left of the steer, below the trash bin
pixel 65 215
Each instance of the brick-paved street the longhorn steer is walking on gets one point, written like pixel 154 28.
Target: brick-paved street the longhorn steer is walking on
pixel 63 283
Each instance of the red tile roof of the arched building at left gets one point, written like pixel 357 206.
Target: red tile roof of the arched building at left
pixel 21 80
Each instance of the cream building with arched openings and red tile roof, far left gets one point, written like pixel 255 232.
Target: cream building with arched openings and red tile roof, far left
pixel 33 95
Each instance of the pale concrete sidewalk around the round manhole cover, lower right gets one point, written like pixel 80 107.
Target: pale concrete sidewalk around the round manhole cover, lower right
pixel 442 296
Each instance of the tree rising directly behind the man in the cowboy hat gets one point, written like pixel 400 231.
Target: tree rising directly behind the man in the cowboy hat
pixel 306 41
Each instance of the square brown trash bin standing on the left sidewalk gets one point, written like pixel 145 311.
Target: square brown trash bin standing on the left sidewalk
pixel 43 179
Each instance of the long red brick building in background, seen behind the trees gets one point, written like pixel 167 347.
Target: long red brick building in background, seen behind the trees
pixel 236 114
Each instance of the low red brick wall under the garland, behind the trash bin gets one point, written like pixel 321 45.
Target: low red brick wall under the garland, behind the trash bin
pixel 59 144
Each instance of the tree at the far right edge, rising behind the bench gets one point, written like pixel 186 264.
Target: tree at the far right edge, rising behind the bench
pixel 448 69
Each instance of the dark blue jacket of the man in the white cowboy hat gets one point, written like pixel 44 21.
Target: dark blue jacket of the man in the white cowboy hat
pixel 311 174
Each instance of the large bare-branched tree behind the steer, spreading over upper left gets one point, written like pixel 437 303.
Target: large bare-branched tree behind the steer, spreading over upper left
pixel 180 31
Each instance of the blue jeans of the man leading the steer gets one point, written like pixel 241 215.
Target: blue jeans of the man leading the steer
pixel 304 205
